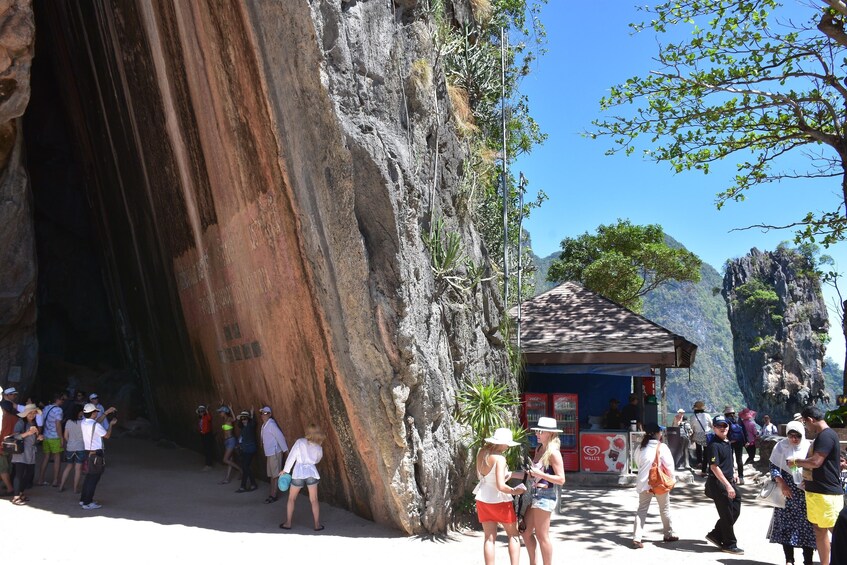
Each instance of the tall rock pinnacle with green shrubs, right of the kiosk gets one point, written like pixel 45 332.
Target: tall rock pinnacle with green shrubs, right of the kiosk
pixel 779 327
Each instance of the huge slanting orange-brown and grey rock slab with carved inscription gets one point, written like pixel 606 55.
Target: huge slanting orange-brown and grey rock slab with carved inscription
pixel 261 175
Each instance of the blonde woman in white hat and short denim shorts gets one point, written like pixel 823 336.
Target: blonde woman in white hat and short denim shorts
pixel 547 472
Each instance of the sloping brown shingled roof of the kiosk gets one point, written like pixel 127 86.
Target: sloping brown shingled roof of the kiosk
pixel 570 324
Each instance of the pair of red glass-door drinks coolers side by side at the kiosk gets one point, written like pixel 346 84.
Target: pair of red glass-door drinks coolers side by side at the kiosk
pixel 564 409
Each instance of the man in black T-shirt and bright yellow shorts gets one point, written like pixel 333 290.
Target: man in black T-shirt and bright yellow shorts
pixel 824 497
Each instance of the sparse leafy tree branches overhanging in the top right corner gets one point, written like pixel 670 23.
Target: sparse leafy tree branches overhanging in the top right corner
pixel 748 83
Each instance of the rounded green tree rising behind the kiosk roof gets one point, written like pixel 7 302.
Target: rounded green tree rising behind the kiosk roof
pixel 623 262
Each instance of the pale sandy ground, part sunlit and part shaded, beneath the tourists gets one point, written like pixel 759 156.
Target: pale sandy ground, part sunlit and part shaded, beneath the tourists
pixel 158 506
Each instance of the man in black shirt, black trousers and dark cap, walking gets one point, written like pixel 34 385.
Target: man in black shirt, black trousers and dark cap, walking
pixel 720 487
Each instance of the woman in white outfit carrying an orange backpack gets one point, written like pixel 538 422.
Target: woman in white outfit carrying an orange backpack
pixel 651 450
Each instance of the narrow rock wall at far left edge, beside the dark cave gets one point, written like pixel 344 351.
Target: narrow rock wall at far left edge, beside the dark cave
pixel 18 343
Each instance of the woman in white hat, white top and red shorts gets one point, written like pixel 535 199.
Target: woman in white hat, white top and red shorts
pixel 494 497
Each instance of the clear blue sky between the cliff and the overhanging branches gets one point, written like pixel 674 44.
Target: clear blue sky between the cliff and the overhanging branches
pixel 590 50
